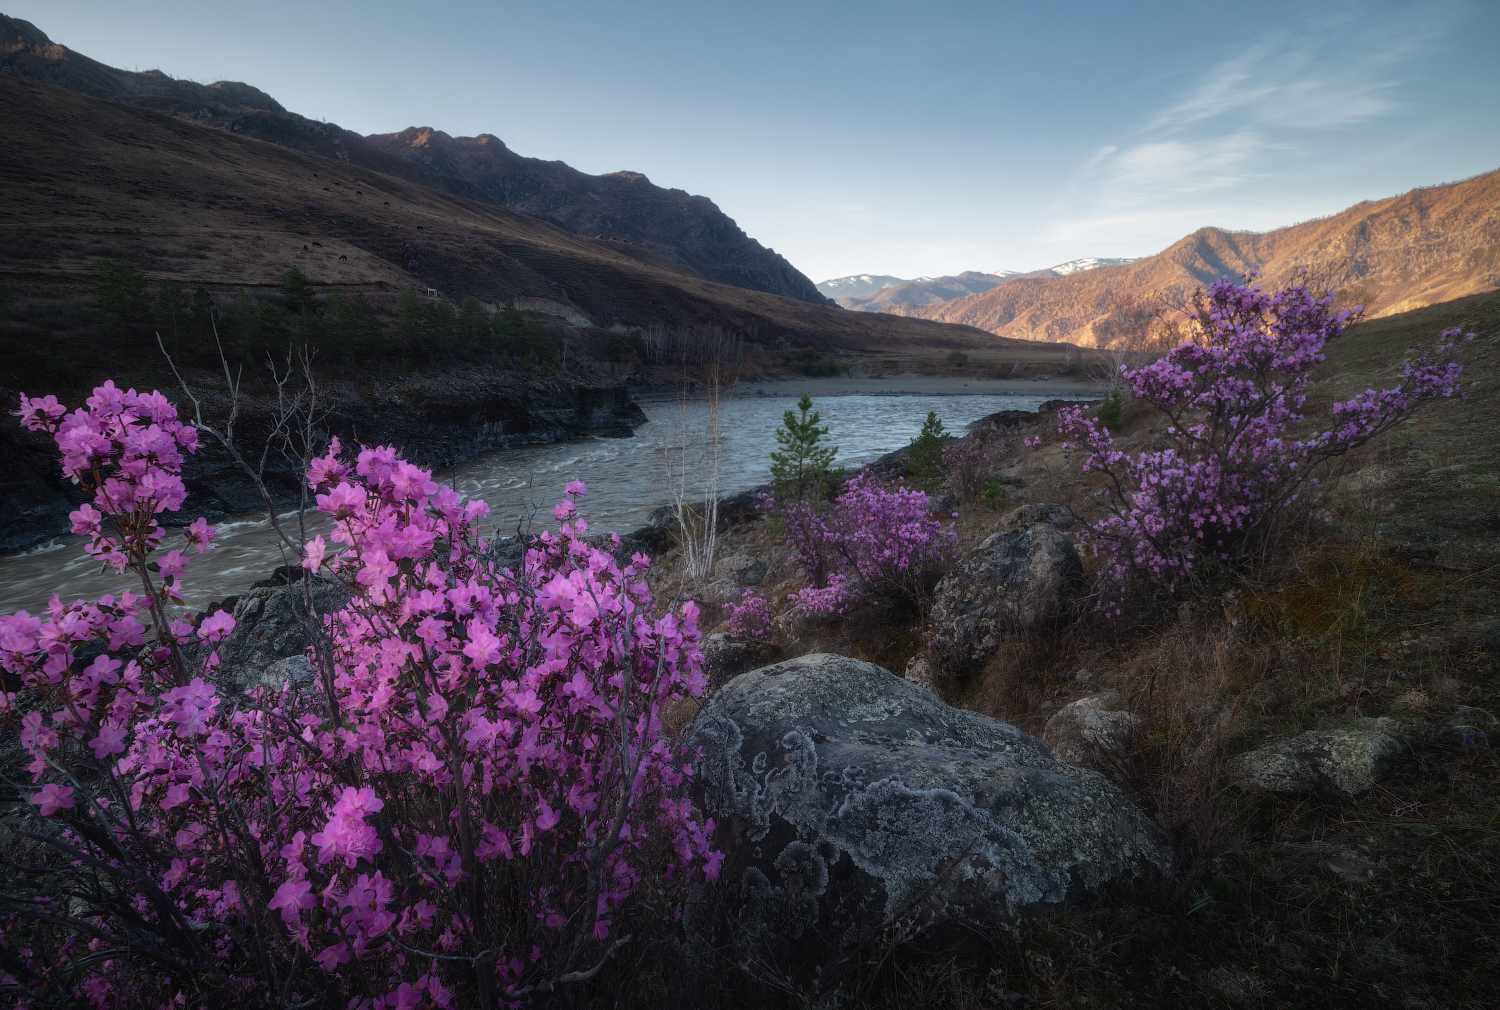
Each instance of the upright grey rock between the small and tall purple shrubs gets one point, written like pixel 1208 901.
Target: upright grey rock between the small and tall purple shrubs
pixel 1018 580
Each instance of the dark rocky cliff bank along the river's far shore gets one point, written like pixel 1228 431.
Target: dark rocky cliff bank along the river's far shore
pixel 436 422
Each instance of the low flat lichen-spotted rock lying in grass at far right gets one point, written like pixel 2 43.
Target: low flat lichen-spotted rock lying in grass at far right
pixel 1342 762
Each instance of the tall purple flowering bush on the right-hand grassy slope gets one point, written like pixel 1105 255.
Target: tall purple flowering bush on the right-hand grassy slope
pixel 1231 395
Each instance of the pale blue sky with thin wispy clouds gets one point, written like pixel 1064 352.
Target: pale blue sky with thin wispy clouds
pixel 877 137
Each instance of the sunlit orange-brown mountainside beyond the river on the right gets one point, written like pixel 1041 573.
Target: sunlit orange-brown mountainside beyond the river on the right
pixel 1394 256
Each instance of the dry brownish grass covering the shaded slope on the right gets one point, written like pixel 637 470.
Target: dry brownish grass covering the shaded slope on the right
pixel 1379 601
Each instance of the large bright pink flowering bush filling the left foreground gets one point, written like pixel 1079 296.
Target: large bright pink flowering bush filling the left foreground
pixel 463 813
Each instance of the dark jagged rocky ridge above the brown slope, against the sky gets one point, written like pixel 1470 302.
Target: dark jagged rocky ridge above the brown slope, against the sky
pixel 685 230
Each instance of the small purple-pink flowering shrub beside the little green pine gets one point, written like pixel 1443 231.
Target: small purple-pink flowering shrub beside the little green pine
pixel 874 543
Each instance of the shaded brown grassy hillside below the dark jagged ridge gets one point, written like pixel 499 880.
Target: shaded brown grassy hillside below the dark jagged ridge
pixel 88 179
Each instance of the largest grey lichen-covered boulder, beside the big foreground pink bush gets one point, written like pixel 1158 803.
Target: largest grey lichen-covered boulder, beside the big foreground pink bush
pixel 848 798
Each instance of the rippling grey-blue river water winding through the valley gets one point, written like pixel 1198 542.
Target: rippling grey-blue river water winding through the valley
pixel 628 478
